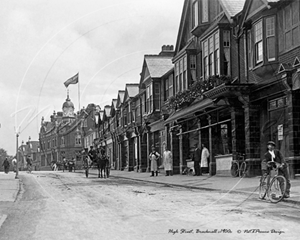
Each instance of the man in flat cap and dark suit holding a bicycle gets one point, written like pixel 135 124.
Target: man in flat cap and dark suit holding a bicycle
pixel 274 155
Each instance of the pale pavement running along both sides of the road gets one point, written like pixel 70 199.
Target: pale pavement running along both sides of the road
pixel 9 186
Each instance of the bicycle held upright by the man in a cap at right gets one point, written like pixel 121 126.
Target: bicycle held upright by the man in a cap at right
pixel 271 184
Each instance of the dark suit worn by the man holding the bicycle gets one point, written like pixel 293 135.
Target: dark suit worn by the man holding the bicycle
pixel 283 171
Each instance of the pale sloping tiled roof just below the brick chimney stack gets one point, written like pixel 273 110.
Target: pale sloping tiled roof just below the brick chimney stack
pixel 158 65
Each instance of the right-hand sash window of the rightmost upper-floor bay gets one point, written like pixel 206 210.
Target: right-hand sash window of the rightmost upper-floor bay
pixel 270 35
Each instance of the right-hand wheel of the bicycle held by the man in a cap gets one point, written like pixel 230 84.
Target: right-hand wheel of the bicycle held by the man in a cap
pixel 277 189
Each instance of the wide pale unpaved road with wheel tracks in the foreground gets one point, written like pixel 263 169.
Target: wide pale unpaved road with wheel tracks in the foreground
pixel 56 205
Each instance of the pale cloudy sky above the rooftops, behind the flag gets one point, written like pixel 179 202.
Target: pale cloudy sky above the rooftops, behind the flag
pixel 43 43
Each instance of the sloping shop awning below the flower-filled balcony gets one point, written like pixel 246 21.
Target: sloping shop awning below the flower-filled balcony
pixel 187 112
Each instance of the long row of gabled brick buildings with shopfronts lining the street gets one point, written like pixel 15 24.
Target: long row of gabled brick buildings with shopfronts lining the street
pixel 231 82
